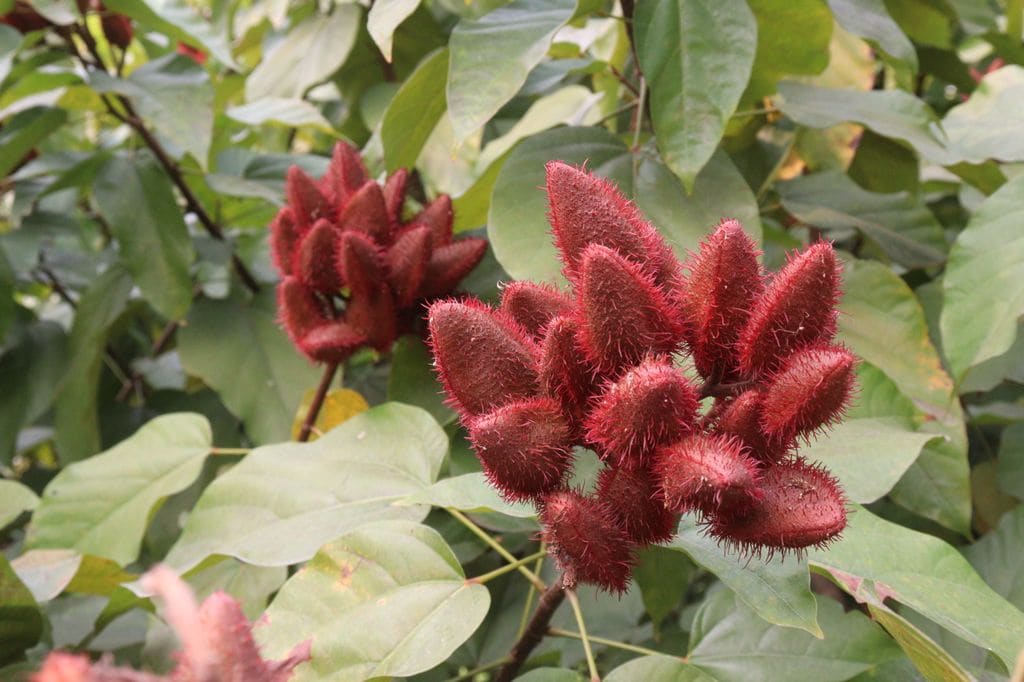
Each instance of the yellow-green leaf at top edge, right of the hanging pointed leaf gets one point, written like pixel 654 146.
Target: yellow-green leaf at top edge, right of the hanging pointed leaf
pixel 781 53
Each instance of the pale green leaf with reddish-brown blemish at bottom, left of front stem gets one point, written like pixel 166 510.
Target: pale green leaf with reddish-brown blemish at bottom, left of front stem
pixel 389 600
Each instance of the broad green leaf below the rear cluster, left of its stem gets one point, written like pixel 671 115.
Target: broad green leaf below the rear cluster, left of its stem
pixel 239 351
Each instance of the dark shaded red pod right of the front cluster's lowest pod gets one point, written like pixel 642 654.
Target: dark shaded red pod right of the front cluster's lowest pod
pixel 634 500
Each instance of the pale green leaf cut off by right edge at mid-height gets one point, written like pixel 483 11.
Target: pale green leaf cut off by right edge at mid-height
pixel 984 288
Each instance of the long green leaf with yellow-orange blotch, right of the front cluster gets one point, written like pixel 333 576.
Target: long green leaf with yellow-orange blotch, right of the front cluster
pixel 883 322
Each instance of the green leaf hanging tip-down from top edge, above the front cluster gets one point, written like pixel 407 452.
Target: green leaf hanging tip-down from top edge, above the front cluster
pixel 697 56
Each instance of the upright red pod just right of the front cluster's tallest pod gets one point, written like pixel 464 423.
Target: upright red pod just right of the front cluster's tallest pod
pixel 724 281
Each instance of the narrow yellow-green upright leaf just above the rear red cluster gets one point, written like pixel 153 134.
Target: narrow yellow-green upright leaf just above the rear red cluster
pixel 414 112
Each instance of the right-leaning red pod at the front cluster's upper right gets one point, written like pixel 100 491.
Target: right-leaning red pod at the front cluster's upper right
pixel 797 311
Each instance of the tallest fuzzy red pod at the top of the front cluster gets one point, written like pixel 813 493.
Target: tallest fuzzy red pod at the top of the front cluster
pixel 585 209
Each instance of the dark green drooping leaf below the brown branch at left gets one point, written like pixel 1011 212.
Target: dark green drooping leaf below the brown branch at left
pixel 138 202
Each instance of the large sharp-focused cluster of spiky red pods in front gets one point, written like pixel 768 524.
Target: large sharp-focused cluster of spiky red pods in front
pixel 593 367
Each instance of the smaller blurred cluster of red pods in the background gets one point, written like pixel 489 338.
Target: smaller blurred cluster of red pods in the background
pixel 355 271
